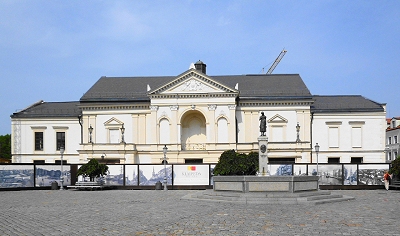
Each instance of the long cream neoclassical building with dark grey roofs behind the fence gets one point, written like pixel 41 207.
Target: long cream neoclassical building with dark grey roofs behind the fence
pixel 197 117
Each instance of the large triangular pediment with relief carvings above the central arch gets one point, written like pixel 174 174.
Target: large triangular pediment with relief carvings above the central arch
pixel 193 82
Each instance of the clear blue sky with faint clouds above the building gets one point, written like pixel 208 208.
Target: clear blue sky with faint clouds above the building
pixel 56 50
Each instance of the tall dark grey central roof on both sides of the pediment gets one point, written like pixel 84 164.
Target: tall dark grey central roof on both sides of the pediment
pixel 111 89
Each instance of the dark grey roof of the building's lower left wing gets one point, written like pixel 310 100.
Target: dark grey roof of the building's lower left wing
pixel 49 109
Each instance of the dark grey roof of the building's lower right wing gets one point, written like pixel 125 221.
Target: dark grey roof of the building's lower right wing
pixel 344 103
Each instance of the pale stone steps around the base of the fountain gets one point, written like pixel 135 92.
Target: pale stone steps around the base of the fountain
pixel 284 198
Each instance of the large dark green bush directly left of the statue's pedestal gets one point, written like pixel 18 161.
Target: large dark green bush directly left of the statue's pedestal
pixel 232 163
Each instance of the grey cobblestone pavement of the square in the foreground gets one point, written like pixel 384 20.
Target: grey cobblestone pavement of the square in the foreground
pixel 151 212
